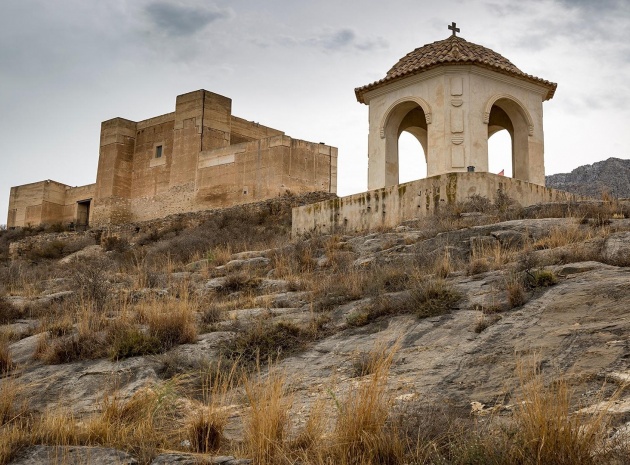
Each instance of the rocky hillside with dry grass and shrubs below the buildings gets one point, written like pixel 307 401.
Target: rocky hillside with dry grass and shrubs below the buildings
pixel 484 335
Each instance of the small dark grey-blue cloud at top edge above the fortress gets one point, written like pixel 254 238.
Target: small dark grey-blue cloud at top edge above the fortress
pixel 181 20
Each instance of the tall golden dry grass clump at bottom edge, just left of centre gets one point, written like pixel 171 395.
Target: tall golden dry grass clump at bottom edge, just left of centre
pixel 267 420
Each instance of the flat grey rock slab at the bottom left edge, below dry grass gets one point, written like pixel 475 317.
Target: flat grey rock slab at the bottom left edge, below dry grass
pixel 73 455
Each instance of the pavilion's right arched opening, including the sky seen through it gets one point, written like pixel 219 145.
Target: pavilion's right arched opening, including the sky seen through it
pixel 508 139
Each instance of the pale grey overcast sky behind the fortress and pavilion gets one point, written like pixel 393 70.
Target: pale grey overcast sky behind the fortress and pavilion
pixel 68 65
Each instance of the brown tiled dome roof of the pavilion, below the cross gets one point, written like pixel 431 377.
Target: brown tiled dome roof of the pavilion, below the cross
pixel 452 51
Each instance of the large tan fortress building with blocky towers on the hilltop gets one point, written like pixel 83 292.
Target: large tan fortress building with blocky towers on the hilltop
pixel 199 157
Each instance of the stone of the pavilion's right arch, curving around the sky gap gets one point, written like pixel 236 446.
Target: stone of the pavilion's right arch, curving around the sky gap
pixel 503 111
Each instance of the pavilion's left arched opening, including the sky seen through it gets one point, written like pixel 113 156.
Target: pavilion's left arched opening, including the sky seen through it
pixel 405 128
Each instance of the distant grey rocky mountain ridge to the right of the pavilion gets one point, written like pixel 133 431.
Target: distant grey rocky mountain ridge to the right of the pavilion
pixel 611 176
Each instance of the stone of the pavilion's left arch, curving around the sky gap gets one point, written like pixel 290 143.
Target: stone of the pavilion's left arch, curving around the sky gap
pixel 411 114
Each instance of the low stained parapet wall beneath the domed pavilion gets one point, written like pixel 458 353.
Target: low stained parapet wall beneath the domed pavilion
pixel 390 206
